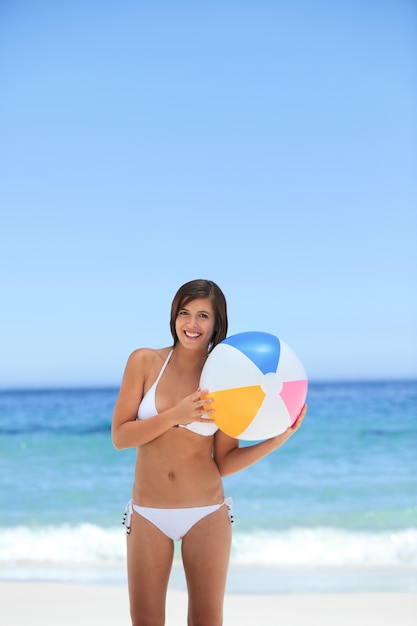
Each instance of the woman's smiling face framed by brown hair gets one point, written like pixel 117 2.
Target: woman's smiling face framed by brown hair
pixel 195 324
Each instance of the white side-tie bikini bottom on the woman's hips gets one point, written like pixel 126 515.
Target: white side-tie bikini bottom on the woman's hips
pixel 174 523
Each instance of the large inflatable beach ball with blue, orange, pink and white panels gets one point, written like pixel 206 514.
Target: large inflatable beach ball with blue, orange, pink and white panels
pixel 257 383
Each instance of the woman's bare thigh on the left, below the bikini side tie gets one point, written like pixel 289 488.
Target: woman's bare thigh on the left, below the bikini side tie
pixel 149 561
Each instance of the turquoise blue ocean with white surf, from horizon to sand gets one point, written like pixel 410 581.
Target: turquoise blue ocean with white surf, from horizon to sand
pixel 335 509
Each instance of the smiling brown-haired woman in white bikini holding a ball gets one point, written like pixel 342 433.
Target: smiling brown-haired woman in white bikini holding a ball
pixel 181 457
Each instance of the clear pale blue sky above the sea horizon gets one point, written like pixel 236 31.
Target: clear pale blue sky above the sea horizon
pixel 270 146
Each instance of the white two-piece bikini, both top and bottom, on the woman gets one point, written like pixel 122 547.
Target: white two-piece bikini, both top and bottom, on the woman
pixel 174 523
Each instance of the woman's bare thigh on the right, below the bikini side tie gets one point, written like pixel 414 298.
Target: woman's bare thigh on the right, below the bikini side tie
pixel 206 554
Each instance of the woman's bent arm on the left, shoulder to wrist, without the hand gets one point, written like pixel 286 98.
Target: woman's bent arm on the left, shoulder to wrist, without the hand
pixel 127 431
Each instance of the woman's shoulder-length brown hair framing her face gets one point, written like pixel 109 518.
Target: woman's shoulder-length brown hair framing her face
pixel 201 288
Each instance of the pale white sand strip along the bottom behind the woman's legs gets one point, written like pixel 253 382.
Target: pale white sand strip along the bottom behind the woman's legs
pixel 48 604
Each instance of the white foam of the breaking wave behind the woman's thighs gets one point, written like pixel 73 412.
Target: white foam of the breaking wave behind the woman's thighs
pixel 93 546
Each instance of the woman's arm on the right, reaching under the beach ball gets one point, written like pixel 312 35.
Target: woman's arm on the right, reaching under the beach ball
pixel 230 458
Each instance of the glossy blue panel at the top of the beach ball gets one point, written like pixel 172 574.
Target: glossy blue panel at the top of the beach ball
pixel 262 348
